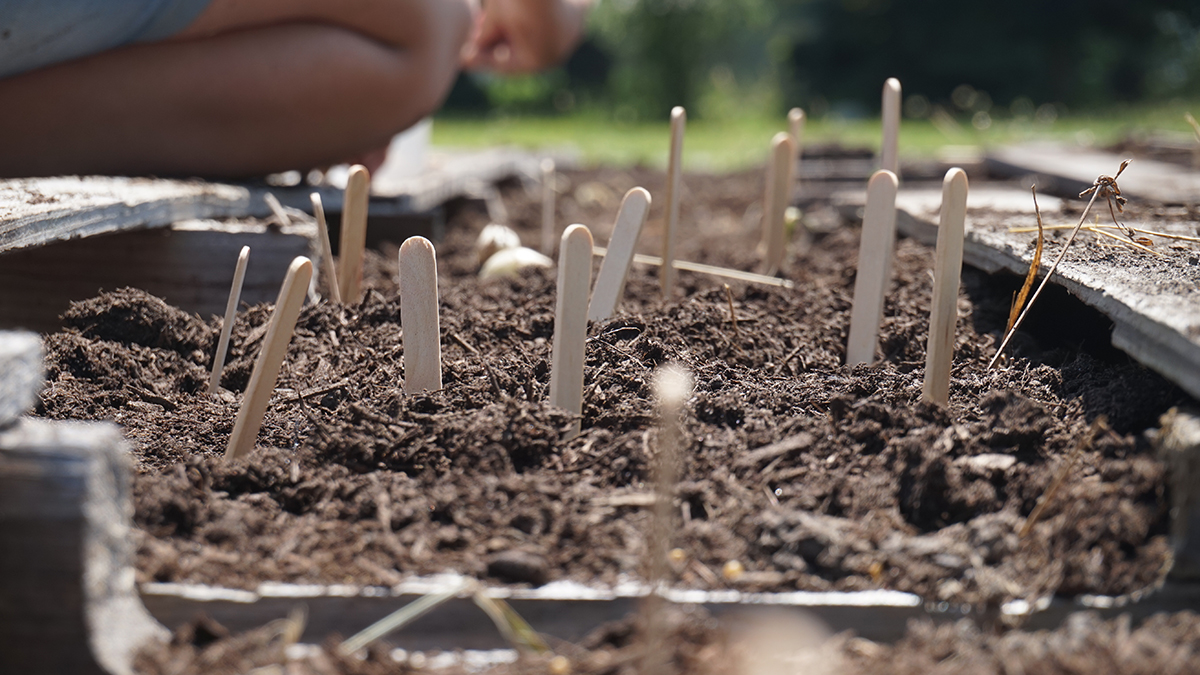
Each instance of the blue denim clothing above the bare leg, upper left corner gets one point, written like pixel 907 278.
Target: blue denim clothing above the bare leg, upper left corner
pixel 40 33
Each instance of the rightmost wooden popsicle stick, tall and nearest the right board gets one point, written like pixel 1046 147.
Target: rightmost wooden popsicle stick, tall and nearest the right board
pixel 947 272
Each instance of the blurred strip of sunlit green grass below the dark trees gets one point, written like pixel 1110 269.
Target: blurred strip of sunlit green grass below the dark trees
pixel 745 142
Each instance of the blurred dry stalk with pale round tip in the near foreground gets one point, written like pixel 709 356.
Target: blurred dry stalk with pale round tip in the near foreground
pixel 673 389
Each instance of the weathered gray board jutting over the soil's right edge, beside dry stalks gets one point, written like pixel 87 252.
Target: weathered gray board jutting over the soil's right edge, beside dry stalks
pixel 1153 301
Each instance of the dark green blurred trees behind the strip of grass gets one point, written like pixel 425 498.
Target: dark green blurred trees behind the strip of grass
pixel 728 59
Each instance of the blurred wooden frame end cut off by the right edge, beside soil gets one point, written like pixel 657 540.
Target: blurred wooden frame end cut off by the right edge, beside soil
pixel 1179 446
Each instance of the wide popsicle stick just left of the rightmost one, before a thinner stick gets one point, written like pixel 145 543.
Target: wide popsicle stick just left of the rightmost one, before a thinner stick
pixel 875 253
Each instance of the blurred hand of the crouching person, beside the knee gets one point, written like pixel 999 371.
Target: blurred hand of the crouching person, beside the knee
pixel 514 37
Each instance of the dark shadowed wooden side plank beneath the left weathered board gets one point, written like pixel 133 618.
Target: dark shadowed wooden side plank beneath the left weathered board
pixel 189 265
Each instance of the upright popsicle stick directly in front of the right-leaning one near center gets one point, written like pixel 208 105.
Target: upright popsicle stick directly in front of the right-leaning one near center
pixel 572 321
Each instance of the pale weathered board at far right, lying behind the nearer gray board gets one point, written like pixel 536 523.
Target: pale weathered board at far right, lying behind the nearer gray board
pixel 1067 171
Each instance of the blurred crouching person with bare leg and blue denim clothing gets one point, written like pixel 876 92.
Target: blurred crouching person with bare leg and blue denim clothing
pixel 238 88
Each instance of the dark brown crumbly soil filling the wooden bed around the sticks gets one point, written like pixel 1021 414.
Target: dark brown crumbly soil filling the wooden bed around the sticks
pixel 861 486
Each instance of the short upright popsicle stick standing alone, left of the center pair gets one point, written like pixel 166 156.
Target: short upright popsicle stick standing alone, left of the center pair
pixel 419 315
